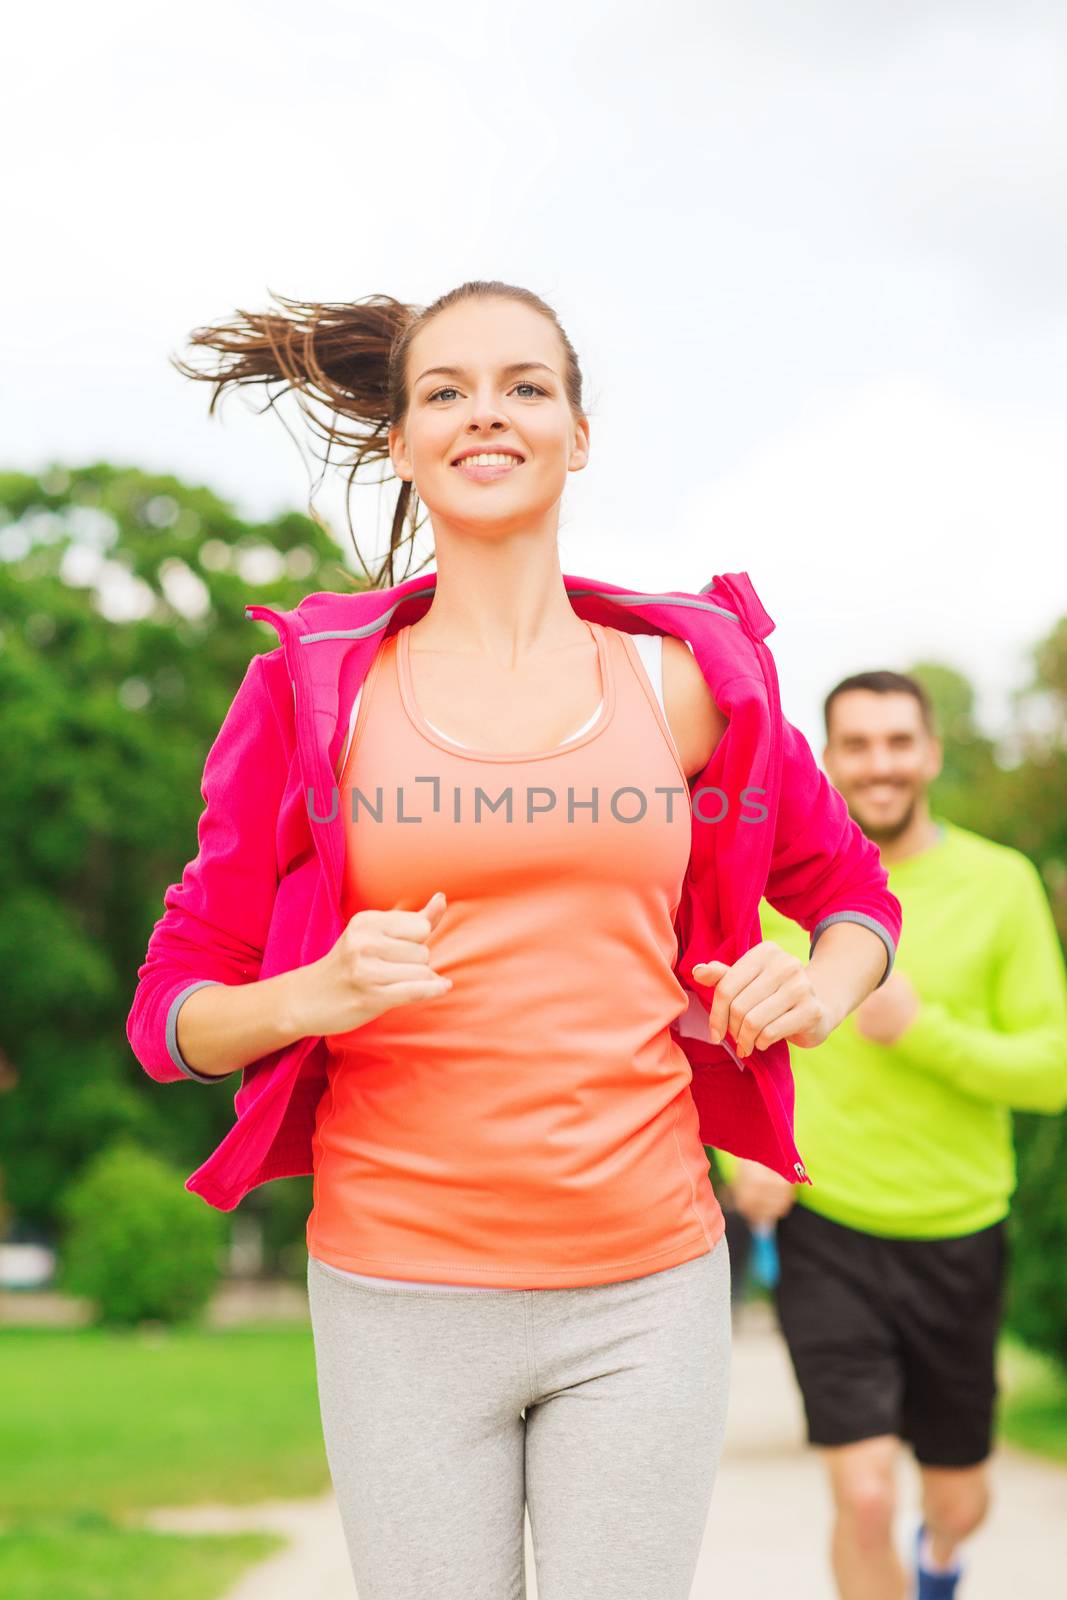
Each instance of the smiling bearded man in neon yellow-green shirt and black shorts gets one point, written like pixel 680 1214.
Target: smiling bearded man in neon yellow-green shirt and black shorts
pixel 893 1262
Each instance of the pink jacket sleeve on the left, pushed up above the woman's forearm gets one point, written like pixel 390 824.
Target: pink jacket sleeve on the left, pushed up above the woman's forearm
pixel 215 921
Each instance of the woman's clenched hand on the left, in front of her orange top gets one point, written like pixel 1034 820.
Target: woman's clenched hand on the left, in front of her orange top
pixel 382 961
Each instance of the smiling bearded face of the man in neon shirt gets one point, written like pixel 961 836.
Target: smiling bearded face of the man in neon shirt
pixel 881 758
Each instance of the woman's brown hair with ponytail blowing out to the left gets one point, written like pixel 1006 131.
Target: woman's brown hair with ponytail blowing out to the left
pixel 348 367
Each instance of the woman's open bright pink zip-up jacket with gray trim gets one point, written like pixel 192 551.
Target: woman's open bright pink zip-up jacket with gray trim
pixel 263 894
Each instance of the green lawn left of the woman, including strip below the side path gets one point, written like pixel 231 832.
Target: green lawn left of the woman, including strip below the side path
pixel 97 1426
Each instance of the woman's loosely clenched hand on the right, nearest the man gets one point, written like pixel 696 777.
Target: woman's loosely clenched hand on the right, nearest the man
pixel 769 994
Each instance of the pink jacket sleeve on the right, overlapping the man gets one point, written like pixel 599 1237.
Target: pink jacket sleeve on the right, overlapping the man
pixel 823 866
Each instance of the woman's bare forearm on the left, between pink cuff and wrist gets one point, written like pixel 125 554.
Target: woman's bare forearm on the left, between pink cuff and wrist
pixel 222 1028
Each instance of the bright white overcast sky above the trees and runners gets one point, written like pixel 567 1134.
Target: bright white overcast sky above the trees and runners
pixel 813 262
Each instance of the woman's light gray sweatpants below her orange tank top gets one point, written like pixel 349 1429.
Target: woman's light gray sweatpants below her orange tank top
pixel 599 1409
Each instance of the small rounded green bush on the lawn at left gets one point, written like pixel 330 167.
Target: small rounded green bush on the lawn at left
pixel 137 1244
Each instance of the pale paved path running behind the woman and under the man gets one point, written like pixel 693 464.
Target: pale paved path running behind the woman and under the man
pixel 769 1524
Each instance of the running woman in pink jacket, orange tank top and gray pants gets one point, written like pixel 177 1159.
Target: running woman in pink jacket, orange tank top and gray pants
pixel 470 988
